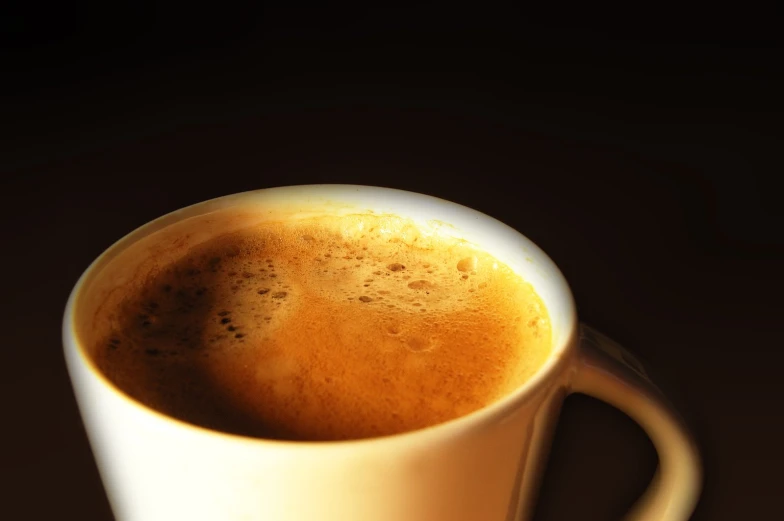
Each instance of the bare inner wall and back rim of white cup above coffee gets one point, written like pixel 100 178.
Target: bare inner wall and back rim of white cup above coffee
pixel 169 237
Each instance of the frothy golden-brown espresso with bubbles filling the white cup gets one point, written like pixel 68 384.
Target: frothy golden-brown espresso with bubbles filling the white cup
pixel 321 328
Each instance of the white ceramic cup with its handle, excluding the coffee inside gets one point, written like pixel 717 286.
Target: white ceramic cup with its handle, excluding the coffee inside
pixel 485 466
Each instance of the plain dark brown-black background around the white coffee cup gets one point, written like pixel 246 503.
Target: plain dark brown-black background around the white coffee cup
pixel 640 155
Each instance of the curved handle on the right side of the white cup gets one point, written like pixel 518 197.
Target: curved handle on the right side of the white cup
pixel 608 372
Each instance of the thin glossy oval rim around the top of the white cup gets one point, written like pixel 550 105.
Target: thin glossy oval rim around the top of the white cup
pixel 78 361
